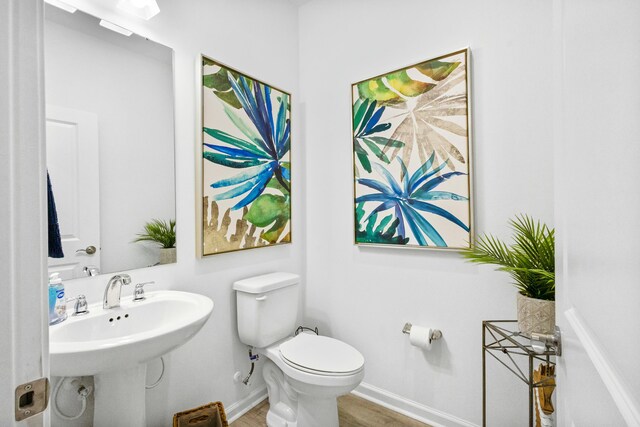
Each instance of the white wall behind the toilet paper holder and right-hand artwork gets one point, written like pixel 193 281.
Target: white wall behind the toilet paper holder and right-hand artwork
pixel 365 295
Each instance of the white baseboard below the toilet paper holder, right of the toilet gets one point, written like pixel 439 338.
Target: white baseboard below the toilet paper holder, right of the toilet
pixel 411 409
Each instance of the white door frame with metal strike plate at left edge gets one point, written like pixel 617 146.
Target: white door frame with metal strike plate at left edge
pixel 24 337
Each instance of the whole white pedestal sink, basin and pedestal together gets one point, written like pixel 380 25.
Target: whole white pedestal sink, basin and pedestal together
pixel 114 346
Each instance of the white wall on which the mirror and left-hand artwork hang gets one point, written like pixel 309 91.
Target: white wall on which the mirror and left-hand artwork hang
pixel 260 39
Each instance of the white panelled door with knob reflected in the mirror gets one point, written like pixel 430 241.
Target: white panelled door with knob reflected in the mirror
pixel 72 161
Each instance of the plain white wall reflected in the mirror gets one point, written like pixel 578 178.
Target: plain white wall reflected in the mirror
pixel 91 69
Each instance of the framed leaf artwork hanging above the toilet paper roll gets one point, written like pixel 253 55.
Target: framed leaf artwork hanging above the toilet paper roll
pixel 412 156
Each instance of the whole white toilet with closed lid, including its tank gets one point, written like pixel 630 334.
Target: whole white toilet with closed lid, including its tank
pixel 304 373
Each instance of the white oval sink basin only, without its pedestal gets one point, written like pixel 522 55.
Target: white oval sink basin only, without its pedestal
pixel 135 332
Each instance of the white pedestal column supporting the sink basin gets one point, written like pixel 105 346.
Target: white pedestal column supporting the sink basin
pixel 120 397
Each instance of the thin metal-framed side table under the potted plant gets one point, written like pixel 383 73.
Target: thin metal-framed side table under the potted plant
pixel 502 341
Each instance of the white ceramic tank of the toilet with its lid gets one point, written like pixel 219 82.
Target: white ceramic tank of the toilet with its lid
pixel 267 308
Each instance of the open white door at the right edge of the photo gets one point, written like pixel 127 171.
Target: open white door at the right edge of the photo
pixel 597 177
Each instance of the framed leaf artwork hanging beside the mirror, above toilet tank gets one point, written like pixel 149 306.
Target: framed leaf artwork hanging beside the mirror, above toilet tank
pixel 245 164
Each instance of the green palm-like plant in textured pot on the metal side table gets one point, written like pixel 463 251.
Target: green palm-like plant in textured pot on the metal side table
pixel 530 261
